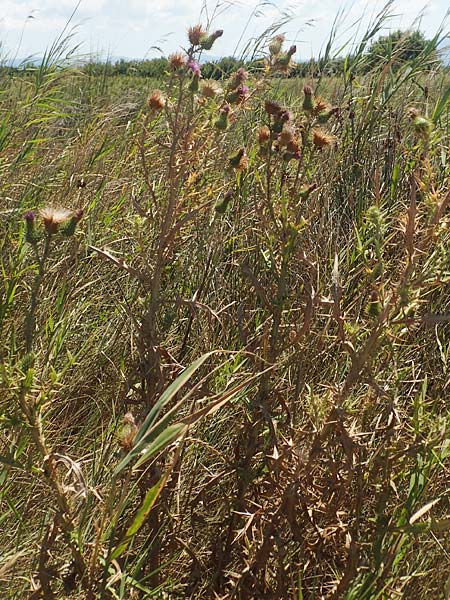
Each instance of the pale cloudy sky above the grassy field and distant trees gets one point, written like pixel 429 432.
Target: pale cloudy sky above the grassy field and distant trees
pixel 147 28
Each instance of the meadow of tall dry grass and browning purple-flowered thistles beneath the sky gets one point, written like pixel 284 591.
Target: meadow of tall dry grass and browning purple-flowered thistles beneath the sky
pixel 225 329
